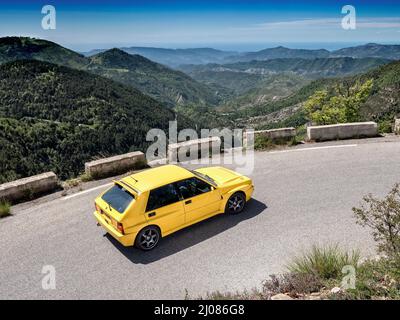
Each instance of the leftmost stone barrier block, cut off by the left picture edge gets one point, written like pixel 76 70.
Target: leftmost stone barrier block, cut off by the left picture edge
pixel 27 188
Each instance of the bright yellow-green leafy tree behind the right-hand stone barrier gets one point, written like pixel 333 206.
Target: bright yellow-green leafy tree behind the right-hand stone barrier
pixel 342 106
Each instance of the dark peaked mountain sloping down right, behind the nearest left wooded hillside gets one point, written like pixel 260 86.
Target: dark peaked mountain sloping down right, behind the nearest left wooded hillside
pixel 162 83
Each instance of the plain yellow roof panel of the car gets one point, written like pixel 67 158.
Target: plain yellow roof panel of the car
pixel 156 177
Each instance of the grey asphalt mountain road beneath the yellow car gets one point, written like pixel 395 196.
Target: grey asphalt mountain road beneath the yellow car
pixel 302 198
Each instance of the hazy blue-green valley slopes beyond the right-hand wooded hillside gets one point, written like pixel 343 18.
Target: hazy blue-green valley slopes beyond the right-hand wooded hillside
pixel 257 82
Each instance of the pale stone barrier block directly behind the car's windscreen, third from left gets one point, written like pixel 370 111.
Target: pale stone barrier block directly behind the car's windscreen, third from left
pixel 193 149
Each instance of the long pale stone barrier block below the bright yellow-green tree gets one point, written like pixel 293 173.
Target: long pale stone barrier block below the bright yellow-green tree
pixel 342 131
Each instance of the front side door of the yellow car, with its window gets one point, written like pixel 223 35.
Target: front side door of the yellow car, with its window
pixel 200 199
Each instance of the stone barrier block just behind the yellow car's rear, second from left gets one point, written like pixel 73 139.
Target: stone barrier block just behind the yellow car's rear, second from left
pixel 115 165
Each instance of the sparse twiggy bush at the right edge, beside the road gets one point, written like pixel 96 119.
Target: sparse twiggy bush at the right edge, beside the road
pixel 383 216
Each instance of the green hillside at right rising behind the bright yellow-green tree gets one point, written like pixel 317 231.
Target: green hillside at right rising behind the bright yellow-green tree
pixel 382 105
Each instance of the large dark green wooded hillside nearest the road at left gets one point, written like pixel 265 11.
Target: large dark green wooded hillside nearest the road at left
pixel 56 118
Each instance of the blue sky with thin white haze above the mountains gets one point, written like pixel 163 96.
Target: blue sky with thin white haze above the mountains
pixel 236 25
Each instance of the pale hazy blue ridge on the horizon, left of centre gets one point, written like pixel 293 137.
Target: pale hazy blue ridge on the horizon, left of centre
pixel 176 57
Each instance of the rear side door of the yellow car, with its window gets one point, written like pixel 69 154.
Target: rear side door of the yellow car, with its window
pixel 165 208
